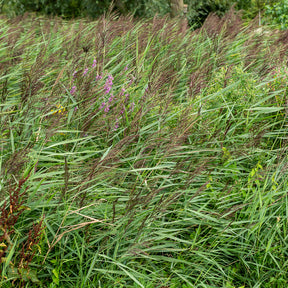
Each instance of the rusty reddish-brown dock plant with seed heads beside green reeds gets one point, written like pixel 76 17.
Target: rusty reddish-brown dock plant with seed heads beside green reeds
pixel 15 265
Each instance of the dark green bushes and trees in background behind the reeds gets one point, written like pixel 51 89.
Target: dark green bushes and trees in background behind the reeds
pixel 198 10
